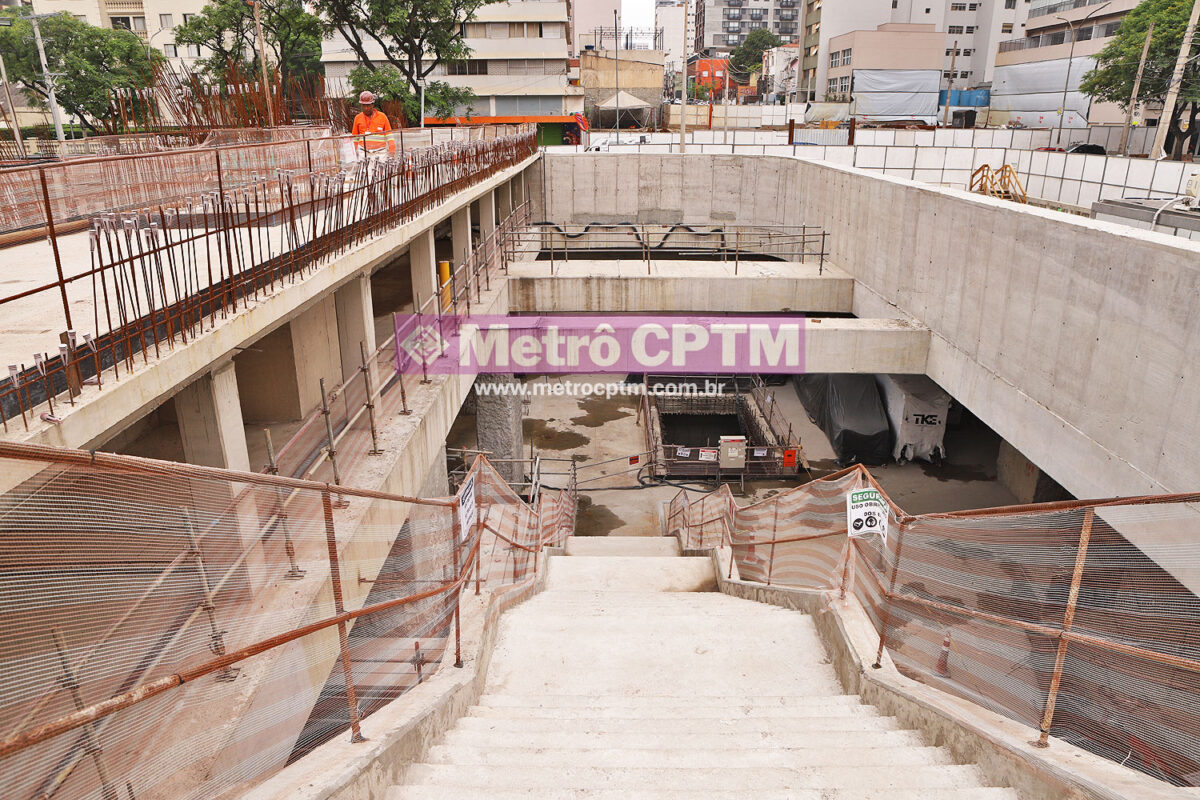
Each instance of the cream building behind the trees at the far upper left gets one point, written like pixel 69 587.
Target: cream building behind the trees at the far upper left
pixel 153 21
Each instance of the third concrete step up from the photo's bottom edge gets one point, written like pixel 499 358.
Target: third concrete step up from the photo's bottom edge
pixel 817 756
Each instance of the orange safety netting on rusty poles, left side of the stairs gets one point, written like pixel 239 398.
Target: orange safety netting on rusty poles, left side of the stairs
pixel 175 631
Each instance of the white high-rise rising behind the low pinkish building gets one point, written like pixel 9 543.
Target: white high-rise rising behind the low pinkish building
pixel 971 31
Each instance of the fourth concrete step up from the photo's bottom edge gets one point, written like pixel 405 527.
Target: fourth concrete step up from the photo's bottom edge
pixel 724 741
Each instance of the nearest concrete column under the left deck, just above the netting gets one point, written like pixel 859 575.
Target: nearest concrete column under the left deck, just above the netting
pixel 211 426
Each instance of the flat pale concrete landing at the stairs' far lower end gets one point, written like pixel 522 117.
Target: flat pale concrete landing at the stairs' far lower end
pixel 632 574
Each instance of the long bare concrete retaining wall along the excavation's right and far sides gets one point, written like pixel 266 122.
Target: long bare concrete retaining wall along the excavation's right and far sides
pixel 1075 340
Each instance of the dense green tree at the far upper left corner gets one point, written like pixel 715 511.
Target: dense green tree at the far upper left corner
pixel 91 64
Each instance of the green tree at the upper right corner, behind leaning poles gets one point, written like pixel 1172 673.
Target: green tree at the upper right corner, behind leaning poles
pixel 1113 79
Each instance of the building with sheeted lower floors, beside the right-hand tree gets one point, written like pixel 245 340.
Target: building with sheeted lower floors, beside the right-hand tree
pixel 1034 70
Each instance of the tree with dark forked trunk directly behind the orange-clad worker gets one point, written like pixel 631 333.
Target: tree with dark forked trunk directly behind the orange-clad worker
pixel 415 38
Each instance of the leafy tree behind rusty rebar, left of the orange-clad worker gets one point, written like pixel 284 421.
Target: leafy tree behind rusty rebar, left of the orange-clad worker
pixel 226 28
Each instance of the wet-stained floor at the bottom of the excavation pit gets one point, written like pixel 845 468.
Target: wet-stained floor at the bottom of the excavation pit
pixel 602 434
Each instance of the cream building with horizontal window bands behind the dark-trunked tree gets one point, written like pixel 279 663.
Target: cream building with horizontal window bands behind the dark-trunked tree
pixel 518 67
